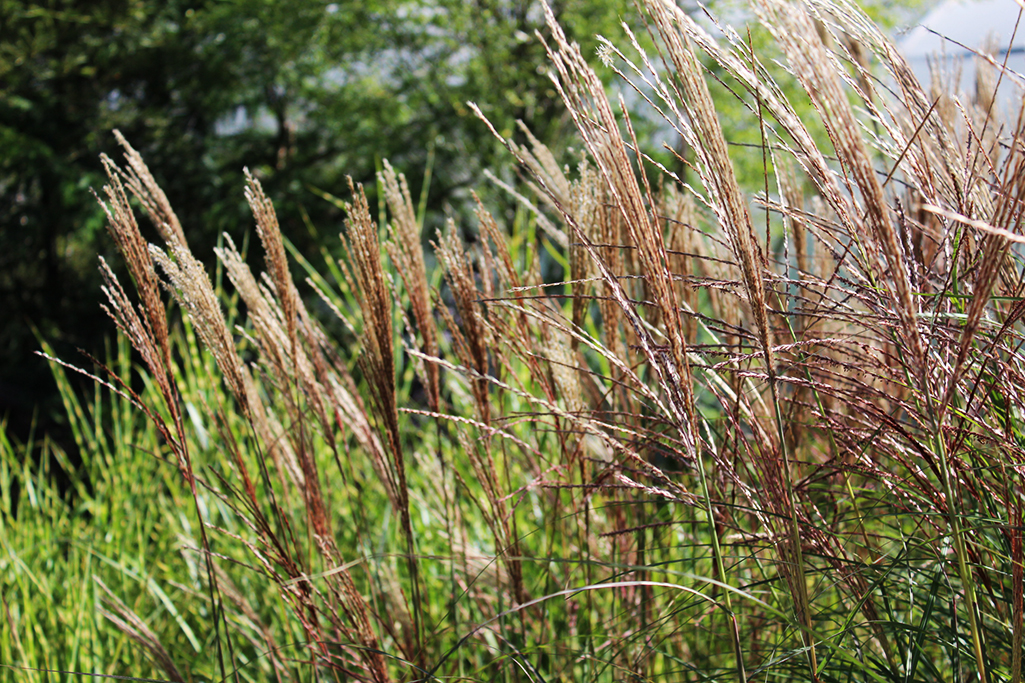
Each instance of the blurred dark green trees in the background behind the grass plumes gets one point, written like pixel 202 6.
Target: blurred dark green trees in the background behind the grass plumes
pixel 303 93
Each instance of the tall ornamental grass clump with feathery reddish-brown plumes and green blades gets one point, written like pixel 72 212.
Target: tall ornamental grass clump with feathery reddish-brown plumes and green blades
pixel 770 435
